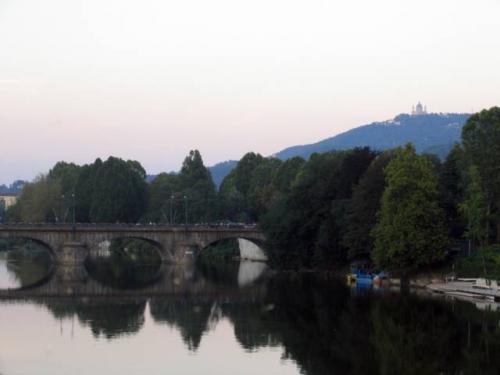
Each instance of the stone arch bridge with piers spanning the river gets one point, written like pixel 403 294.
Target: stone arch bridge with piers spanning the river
pixel 71 244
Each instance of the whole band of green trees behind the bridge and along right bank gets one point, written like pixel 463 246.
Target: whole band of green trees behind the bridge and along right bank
pixel 396 208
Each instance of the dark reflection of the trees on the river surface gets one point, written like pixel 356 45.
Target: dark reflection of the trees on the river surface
pixel 318 322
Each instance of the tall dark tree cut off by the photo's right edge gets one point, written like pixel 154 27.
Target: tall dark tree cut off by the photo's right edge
pixel 481 141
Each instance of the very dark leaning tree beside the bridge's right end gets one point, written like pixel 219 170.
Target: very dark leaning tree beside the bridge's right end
pixel 304 226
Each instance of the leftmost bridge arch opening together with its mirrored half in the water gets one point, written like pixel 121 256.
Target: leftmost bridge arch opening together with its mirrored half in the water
pixel 23 263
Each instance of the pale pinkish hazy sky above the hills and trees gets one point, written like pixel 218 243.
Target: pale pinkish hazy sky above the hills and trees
pixel 150 80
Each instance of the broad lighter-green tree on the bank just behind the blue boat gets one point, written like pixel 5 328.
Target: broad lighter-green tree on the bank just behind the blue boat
pixel 410 232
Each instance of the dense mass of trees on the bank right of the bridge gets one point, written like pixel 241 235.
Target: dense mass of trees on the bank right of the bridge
pixel 397 210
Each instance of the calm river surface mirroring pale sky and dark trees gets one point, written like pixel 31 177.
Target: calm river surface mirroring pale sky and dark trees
pixel 242 319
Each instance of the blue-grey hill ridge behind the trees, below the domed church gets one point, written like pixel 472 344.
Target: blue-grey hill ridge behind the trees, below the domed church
pixel 434 133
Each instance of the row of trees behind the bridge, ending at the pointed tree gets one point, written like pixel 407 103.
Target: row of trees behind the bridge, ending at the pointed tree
pixel 116 191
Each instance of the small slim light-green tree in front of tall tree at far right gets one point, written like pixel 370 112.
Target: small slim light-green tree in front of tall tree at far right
pixel 474 208
